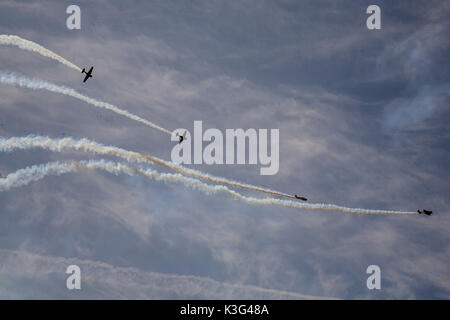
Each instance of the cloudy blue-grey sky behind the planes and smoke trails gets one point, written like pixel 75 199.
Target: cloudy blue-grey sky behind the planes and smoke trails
pixel 363 117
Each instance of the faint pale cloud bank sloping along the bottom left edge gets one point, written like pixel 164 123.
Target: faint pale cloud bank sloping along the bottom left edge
pixel 23 272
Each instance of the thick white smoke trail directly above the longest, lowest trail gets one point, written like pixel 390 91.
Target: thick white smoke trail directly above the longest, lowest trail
pixel 58 145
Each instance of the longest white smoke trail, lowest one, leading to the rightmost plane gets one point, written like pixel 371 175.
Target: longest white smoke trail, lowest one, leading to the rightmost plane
pixel 27 175
